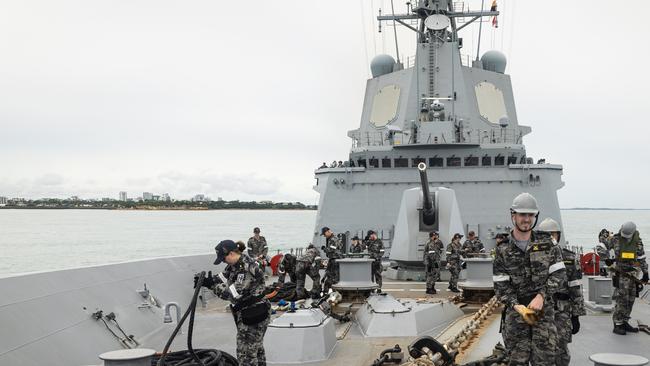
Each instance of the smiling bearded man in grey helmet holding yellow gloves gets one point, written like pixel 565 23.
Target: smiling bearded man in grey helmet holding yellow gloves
pixel 527 272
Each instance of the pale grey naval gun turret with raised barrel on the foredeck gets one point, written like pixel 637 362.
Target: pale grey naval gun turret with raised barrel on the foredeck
pixel 422 210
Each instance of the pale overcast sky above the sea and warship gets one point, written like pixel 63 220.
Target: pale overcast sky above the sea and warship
pixel 243 100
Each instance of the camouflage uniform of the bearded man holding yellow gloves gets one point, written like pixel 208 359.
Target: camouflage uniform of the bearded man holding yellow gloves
pixel 518 277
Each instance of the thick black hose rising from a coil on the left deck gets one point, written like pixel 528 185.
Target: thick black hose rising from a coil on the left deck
pixel 191 357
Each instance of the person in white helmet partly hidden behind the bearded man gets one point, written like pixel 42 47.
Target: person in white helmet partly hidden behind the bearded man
pixel 569 302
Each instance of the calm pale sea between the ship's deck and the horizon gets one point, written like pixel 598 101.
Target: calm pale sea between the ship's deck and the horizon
pixel 44 240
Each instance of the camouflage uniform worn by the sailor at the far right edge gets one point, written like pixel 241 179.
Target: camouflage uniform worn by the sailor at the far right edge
pixel 625 292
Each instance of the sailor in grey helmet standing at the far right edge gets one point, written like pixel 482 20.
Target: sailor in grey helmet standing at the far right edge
pixel 629 257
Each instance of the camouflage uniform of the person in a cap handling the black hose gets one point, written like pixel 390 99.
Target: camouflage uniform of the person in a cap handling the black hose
pixel 244 287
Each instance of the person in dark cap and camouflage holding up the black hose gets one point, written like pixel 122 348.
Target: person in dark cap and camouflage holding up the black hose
pixel 242 283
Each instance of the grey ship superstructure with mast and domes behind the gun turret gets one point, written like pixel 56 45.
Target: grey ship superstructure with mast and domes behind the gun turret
pixel 460 120
